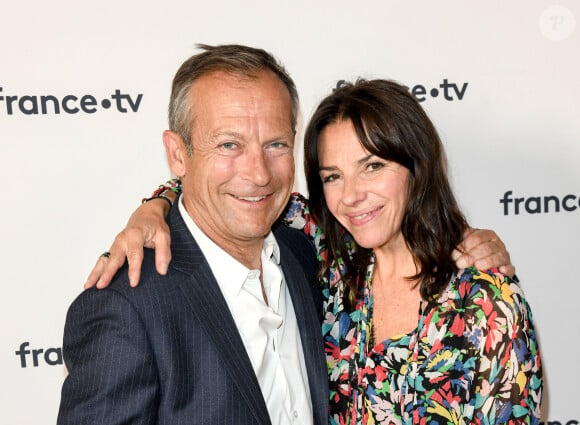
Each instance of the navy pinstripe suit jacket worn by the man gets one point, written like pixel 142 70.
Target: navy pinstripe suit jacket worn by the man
pixel 168 351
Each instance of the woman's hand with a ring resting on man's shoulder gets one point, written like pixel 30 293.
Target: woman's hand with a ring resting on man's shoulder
pixel 146 228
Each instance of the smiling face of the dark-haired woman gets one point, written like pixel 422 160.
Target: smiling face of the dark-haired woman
pixel 365 193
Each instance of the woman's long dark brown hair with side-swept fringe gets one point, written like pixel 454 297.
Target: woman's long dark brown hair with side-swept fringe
pixel 390 124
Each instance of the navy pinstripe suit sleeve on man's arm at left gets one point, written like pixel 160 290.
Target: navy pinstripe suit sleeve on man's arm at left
pixel 112 374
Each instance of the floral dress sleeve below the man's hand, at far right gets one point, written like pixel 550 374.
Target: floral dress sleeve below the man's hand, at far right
pixel 508 380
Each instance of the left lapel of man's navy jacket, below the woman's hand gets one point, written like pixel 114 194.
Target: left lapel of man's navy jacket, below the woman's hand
pixel 209 306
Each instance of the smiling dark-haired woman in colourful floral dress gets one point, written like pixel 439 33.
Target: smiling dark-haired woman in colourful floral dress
pixel 409 337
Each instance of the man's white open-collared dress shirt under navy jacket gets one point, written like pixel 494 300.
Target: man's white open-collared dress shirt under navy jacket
pixel 269 330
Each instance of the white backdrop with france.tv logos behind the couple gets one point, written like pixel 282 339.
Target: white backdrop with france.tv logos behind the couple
pixel 507 106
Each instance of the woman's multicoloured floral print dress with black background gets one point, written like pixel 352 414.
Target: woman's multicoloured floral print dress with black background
pixel 473 358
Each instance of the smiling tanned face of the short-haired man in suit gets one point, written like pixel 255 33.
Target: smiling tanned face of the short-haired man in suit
pixel 239 178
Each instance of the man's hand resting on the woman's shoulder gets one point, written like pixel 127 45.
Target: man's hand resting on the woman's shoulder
pixel 483 249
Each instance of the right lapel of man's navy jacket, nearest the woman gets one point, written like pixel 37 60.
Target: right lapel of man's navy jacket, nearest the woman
pixel 309 326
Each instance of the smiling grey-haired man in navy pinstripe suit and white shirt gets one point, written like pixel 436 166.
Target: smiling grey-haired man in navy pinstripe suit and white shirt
pixel 233 336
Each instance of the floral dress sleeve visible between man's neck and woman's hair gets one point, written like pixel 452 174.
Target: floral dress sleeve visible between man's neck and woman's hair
pixel 298 216
